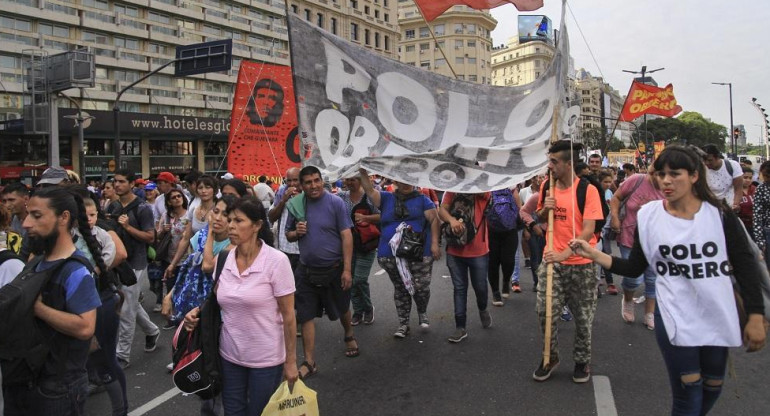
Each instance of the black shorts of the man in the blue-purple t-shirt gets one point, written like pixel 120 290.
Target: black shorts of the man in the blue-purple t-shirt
pixel 313 301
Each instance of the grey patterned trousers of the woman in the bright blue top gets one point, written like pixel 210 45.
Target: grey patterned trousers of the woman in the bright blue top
pixel 421 273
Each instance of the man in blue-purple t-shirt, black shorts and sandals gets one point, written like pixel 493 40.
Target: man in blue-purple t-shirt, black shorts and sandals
pixel 322 229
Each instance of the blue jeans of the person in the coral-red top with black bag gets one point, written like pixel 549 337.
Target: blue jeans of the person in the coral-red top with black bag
pixel 460 268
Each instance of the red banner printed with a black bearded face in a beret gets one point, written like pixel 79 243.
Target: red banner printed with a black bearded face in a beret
pixel 263 133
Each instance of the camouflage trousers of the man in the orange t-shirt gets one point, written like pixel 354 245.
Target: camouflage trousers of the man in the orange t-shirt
pixel 574 286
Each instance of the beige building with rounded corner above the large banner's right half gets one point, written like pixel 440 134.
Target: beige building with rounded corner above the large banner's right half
pixel 462 45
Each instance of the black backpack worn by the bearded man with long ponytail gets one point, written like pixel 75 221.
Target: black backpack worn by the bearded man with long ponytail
pixel 27 341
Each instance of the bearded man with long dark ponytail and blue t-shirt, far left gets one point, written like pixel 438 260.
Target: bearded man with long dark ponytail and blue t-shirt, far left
pixel 67 305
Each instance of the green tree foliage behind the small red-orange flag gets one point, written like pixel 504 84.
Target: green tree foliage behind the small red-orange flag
pixel 689 128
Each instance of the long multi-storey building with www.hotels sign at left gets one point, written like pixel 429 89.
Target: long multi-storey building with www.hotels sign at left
pixel 169 123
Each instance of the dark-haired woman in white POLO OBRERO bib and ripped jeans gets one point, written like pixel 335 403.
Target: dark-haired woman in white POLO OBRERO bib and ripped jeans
pixel 683 238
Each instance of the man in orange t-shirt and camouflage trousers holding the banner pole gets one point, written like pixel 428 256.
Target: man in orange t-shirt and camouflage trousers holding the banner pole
pixel 574 279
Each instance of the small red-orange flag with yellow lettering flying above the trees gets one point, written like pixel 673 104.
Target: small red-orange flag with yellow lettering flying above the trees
pixel 648 99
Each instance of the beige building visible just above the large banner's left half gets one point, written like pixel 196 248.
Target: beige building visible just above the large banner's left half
pixel 372 24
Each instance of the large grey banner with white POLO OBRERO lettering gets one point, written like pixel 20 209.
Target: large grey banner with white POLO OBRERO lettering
pixel 359 109
